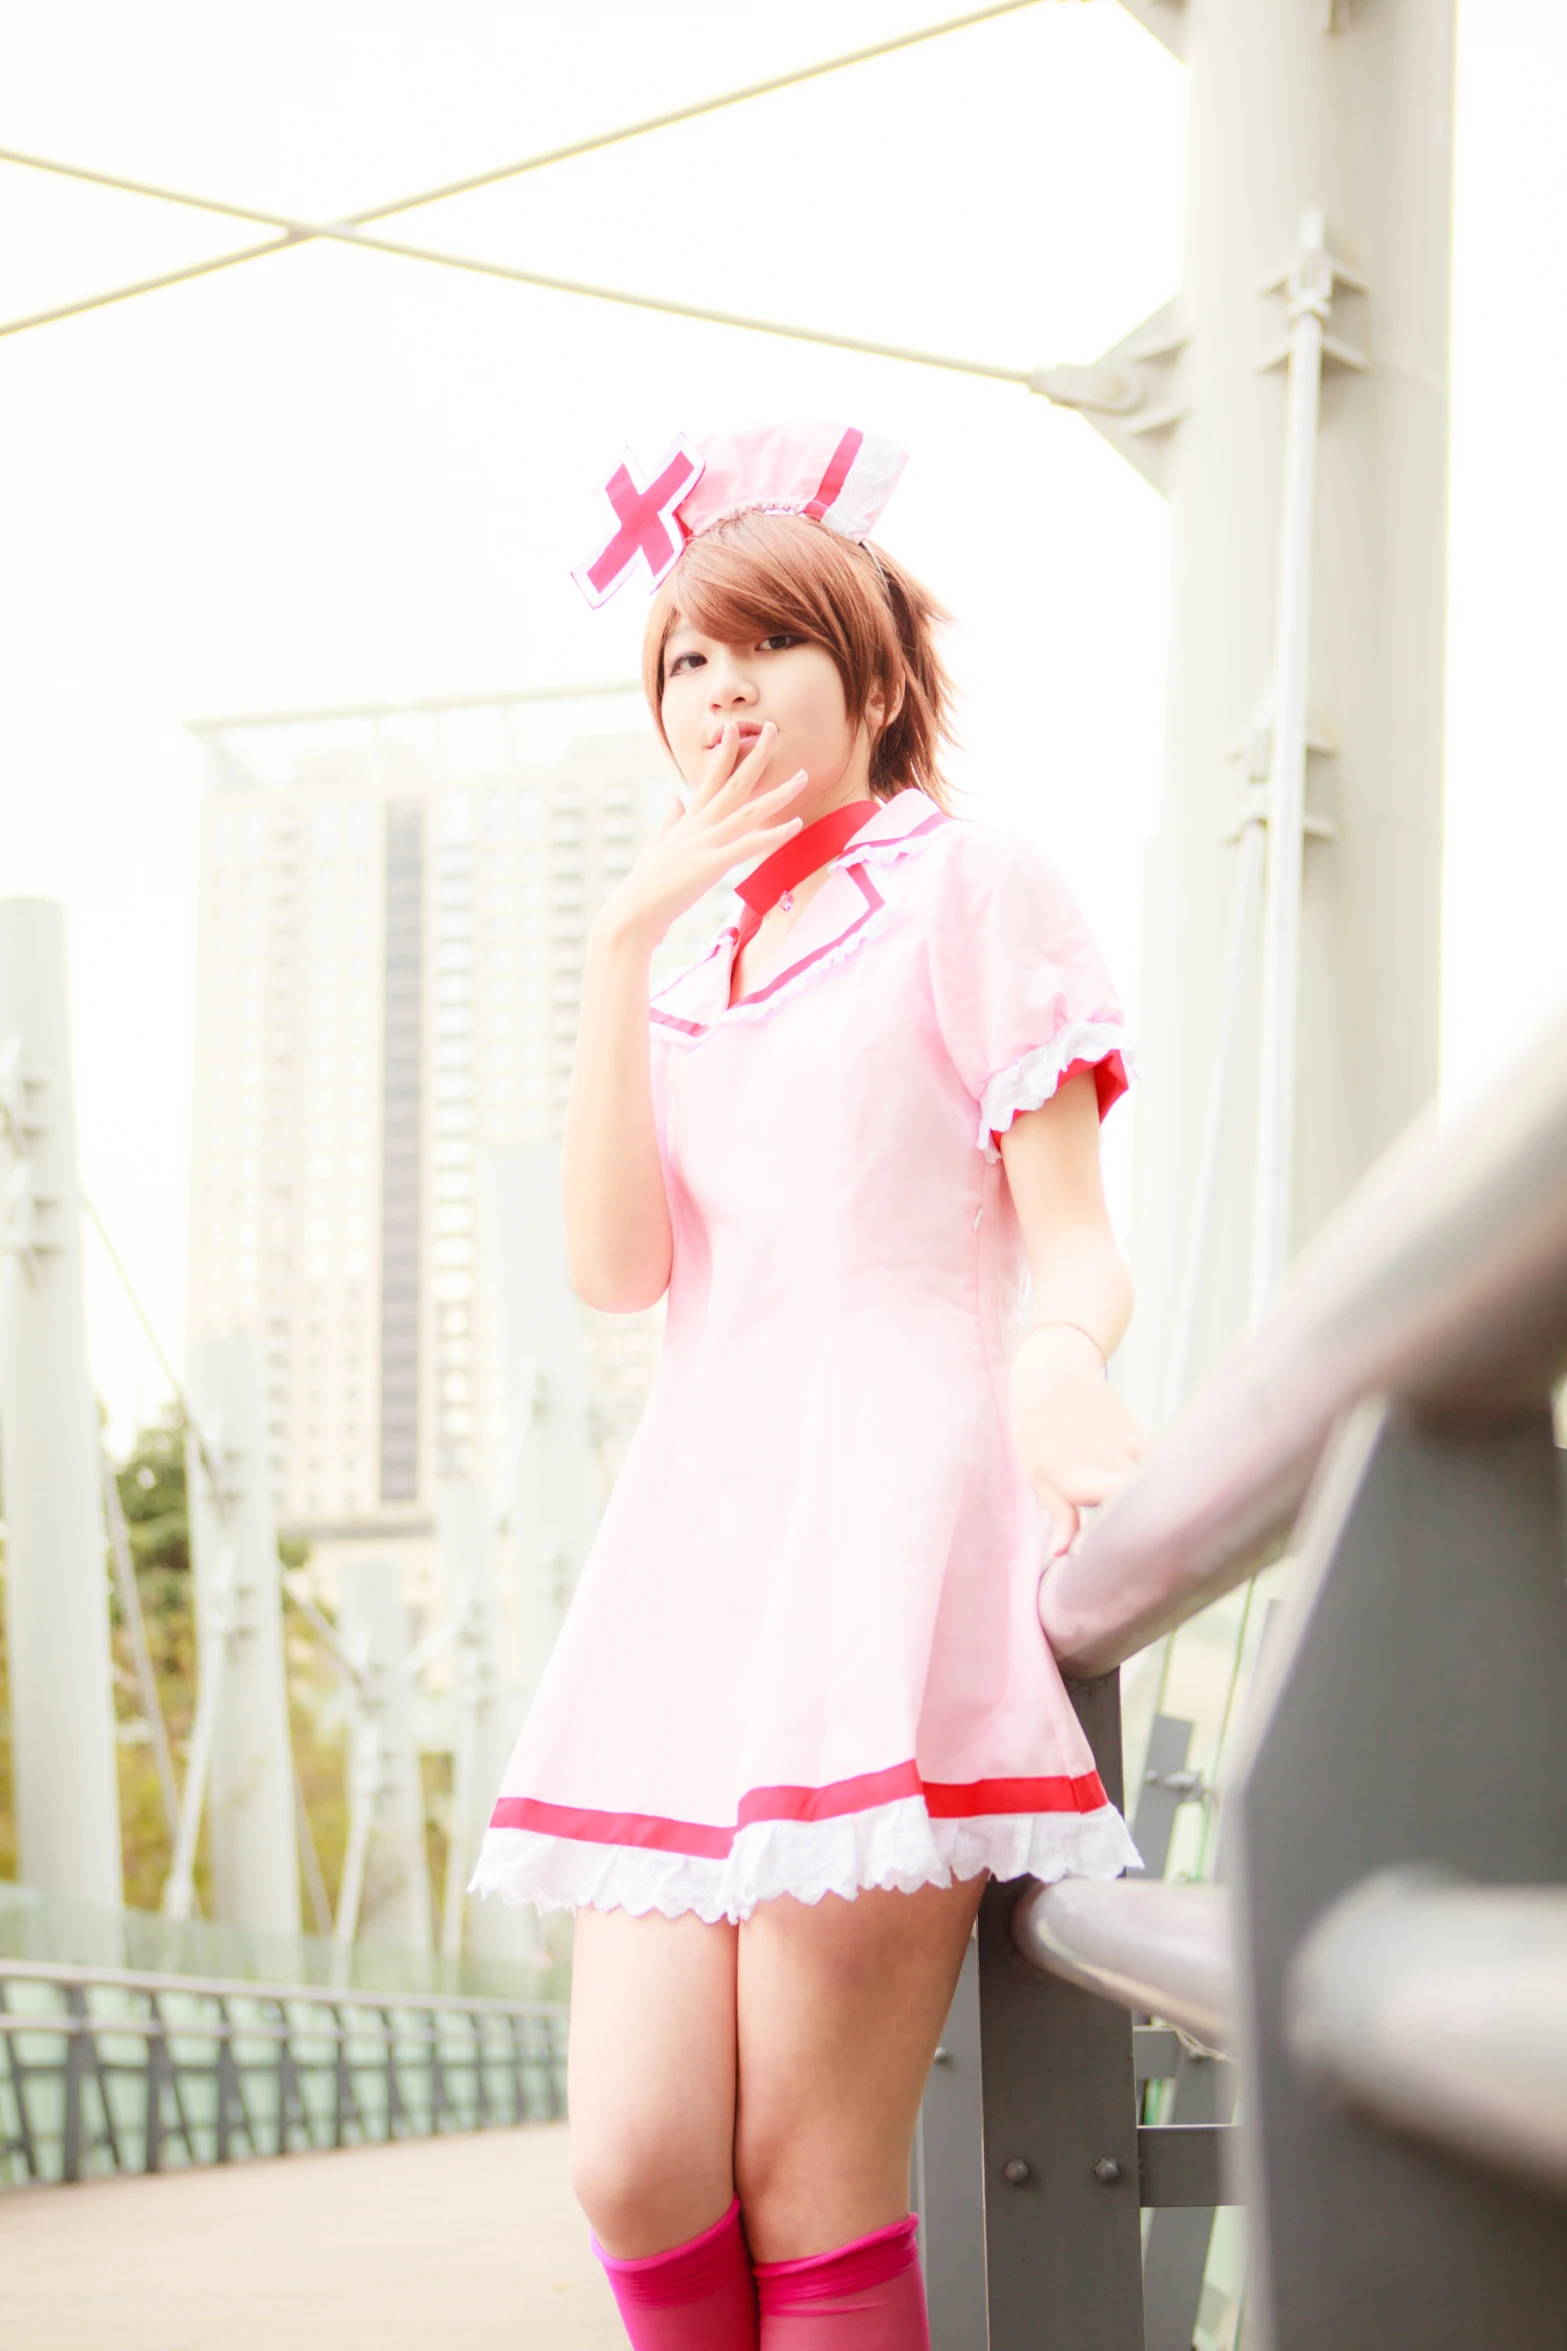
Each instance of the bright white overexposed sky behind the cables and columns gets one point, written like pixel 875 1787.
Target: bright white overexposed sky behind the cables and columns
pixel 335 476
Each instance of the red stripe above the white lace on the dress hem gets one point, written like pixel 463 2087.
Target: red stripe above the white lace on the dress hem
pixel 946 1800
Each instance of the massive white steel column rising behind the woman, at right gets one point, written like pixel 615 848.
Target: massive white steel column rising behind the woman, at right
pixel 1296 109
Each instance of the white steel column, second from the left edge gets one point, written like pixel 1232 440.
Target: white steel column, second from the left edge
pixel 243 1703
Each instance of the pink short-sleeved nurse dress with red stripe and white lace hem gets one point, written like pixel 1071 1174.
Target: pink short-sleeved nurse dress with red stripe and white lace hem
pixel 805 1654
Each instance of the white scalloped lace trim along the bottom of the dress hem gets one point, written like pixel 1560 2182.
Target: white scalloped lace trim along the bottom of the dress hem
pixel 894 1844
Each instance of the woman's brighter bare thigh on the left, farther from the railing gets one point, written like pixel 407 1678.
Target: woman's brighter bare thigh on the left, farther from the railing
pixel 652 2077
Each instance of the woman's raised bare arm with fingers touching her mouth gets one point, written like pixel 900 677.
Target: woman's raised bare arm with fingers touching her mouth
pixel 614 1193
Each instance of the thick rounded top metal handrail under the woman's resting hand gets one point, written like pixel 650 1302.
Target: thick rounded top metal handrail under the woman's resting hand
pixel 1444 1285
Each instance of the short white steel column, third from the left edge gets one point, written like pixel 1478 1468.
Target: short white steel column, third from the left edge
pixel 386 1793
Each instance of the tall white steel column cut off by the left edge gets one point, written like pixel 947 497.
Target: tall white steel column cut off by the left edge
pixel 55 1576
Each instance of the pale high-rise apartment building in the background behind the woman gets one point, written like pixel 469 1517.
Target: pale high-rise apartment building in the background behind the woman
pixel 394 911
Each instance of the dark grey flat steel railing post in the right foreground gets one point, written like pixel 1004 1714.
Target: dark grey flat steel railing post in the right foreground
pixel 1411 1713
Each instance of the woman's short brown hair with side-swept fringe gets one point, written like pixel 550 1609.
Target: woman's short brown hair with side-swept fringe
pixel 786 572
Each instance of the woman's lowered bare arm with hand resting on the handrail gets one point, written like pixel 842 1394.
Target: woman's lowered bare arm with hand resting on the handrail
pixel 1072 1433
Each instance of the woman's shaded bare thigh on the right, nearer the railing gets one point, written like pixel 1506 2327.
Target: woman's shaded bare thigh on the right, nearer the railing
pixel 842 2007
